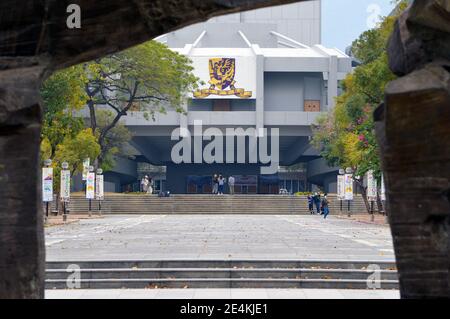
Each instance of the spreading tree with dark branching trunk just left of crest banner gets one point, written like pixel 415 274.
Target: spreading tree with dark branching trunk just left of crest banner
pixel 148 77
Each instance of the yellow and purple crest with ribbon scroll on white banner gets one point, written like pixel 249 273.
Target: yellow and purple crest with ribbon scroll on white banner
pixel 221 74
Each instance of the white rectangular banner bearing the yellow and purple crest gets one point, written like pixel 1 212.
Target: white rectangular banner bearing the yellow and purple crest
pixel 225 76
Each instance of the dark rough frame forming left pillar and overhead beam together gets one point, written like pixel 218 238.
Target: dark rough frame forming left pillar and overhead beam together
pixel 34 41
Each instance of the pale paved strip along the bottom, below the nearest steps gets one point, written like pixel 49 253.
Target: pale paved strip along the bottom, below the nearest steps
pixel 221 294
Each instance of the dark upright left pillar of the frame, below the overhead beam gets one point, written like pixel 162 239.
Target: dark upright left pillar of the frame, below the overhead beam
pixel 22 251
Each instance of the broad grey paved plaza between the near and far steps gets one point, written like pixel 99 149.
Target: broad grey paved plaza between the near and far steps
pixel 218 237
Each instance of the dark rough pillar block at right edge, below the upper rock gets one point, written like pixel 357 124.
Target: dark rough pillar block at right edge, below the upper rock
pixel 413 130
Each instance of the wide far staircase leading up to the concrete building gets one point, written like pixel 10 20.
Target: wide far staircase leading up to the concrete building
pixel 207 204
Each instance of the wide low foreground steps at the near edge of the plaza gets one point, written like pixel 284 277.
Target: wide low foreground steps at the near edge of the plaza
pixel 220 274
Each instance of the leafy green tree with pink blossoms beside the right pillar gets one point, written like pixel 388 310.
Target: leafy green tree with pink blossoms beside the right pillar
pixel 346 135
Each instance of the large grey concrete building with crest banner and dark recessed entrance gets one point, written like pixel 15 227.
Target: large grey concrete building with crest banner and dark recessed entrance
pixel 267 78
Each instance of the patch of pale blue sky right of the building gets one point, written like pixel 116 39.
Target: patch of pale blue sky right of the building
pixel 344 20
